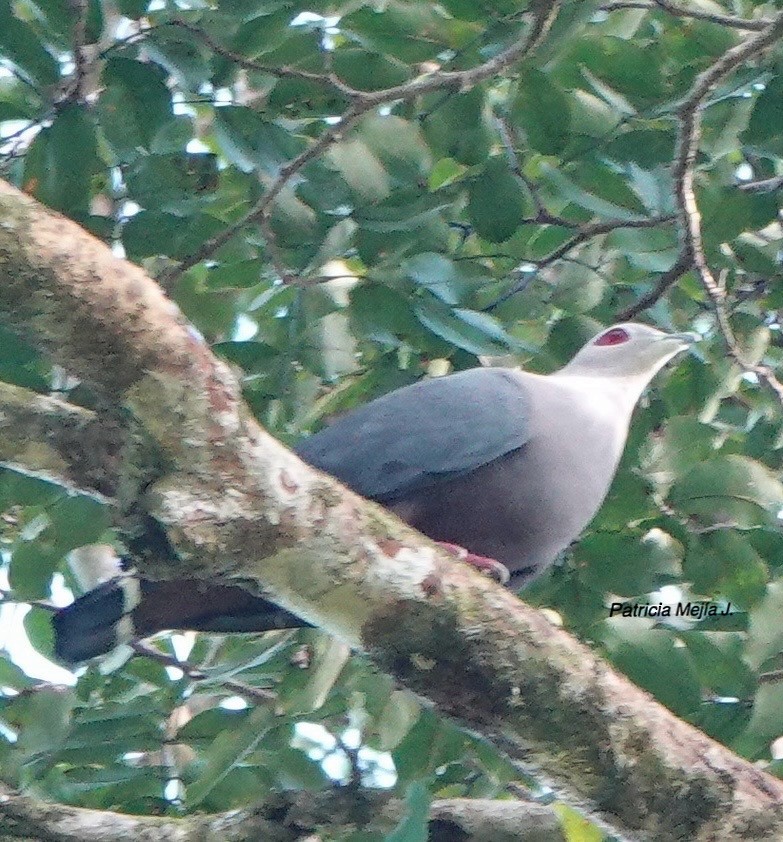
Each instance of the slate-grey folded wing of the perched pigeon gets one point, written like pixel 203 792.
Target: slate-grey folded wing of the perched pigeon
pixel 421 434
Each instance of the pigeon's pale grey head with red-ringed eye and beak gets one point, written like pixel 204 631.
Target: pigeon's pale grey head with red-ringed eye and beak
pixel 629 350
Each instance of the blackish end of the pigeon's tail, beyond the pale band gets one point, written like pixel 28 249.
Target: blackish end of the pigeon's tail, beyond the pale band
pixel 91 625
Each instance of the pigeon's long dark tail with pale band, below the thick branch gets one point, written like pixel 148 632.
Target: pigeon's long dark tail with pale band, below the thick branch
pixel 126 608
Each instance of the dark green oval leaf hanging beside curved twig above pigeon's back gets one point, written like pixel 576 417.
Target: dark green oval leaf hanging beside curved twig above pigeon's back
pixel 497 201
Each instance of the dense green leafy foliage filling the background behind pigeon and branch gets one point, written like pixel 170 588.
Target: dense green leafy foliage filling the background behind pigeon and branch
pixel 444 222
